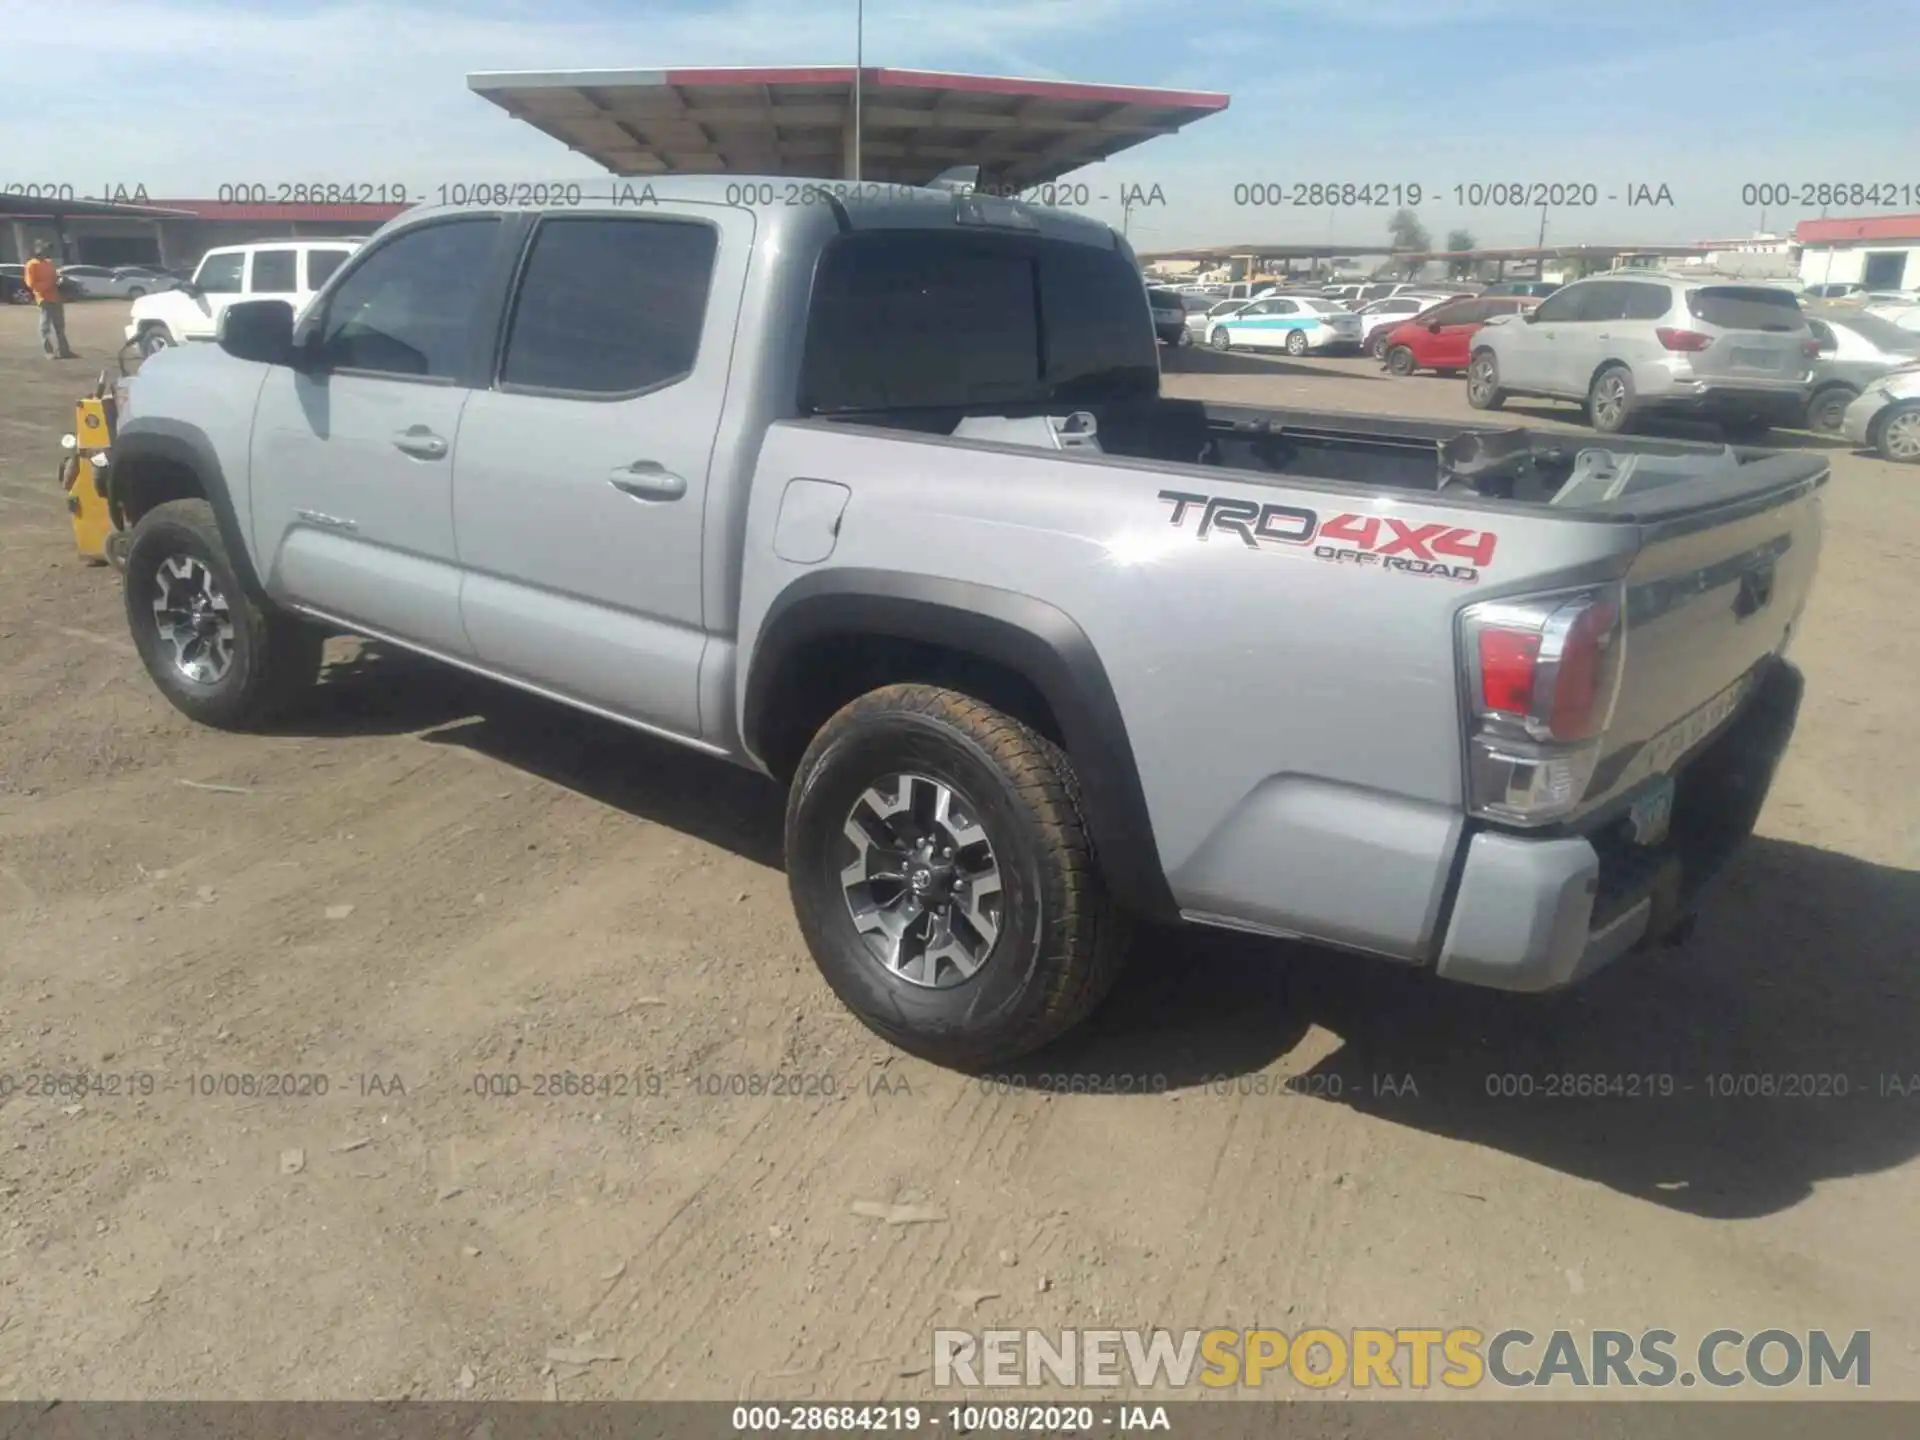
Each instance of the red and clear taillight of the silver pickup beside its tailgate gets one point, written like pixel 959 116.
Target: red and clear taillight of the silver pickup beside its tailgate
pixel 1541 679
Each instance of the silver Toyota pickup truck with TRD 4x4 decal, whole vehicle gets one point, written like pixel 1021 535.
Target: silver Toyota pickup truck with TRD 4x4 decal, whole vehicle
pixel 880 496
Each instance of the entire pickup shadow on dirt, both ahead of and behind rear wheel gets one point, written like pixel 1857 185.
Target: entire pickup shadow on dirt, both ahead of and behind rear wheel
pixel 1727 1078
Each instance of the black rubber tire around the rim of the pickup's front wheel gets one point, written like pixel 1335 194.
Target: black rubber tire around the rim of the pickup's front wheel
pixel 276 658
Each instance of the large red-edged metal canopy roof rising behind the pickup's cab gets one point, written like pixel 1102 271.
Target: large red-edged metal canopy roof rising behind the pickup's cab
pixel 800 122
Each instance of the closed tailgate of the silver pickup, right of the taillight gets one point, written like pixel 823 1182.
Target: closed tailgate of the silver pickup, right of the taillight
pixel 1716 588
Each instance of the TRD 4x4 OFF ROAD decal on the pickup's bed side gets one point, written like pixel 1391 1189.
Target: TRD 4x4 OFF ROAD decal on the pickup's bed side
pixel 1447 552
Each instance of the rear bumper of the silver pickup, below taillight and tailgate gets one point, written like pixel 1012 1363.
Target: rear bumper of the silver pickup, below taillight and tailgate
pixel 1543 913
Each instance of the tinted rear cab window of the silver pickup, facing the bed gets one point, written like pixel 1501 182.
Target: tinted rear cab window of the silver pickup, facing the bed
pixel 936 320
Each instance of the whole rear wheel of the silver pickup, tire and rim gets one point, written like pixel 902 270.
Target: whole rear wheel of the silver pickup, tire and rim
pixel 944 876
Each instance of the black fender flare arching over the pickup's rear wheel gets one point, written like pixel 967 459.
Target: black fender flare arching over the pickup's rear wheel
pixel 1028 636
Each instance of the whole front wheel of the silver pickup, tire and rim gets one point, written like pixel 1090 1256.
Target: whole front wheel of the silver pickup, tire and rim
pixel 216 654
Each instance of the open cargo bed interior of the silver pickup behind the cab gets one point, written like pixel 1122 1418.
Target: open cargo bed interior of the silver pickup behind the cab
pixel 1618 475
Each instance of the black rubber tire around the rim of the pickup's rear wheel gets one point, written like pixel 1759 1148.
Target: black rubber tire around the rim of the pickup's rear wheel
pixel 1061 938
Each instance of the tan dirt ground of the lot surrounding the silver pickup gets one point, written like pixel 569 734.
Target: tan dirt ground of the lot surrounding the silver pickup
pixel 427 884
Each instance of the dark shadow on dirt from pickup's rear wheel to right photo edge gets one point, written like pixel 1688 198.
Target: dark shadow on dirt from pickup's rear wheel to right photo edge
pixel 1727 1078
